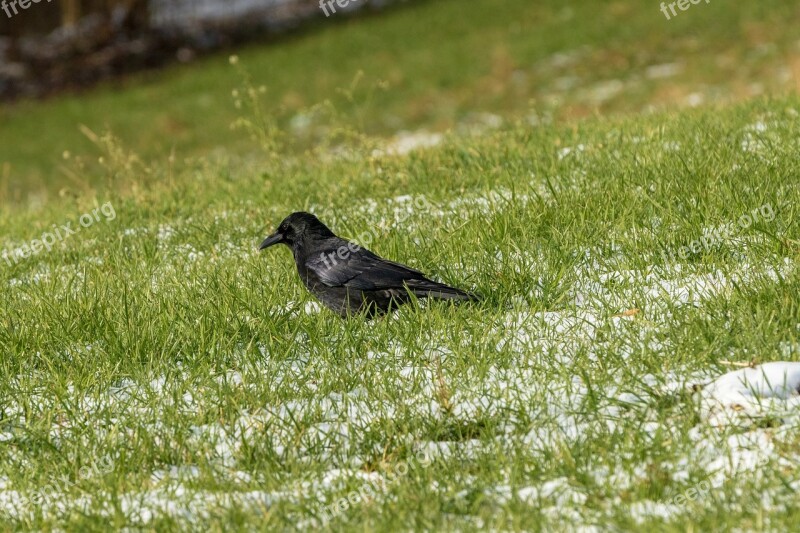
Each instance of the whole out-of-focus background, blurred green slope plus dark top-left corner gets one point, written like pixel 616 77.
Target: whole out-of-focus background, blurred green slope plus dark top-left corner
pixel 158 76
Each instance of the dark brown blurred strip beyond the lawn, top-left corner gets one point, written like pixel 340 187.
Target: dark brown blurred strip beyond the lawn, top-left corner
pixel 46 48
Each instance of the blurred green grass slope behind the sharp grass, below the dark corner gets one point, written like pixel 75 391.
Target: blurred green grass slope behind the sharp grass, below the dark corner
pixel 432 64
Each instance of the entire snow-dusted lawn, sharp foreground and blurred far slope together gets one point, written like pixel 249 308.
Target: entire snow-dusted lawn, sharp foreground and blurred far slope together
pixel 160 373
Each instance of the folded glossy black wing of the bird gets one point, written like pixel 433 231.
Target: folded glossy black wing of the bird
pixel 362 270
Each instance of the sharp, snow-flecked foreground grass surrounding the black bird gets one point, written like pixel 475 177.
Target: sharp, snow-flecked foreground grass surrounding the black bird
pixel 539 389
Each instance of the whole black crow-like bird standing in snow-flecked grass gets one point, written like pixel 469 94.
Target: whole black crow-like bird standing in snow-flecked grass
pixel 349 279
